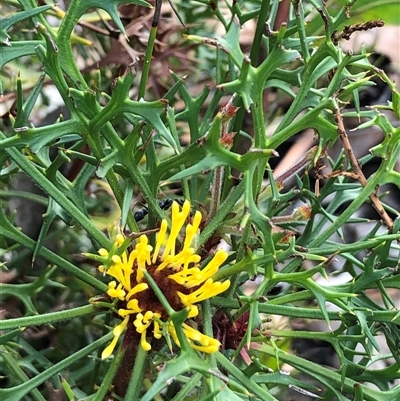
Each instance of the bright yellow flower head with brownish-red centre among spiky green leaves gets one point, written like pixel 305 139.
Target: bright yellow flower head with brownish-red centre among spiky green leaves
pixel 175 270
